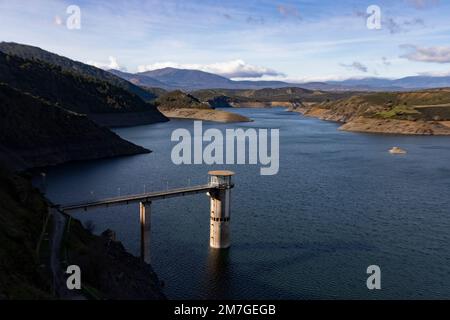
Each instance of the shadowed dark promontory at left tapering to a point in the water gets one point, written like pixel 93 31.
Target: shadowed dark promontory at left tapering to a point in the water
pixel 34 133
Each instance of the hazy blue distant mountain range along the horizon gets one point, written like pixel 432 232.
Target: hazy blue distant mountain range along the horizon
pixel 171 79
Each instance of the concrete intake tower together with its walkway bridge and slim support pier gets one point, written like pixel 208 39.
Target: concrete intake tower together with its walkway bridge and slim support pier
pixel 218 189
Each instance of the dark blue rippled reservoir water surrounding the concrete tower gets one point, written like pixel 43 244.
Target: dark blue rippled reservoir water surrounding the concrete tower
pixel 340 203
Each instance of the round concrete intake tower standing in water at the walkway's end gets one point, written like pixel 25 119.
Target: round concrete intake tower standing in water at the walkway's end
pixel 220 209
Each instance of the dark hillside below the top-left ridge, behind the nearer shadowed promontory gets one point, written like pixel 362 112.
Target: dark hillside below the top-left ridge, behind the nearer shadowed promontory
pixel 73 91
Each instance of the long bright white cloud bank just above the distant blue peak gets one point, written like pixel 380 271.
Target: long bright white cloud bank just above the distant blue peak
pixel 230 69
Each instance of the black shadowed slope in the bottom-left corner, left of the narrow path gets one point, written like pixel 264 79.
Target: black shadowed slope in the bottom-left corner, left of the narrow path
pixel 23 214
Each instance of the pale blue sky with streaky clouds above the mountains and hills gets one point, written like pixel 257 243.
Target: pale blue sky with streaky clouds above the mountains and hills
pixel 302 40
